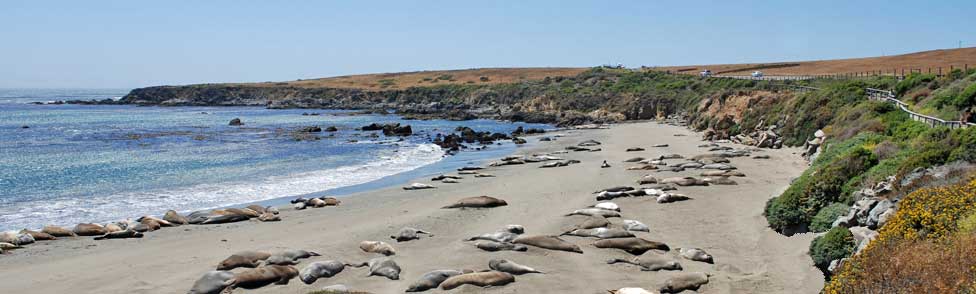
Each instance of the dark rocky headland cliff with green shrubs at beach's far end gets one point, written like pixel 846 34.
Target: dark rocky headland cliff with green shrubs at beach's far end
pixel 594 96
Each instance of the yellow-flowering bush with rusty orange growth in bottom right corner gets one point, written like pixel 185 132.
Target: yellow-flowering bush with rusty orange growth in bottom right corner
pixel 919 249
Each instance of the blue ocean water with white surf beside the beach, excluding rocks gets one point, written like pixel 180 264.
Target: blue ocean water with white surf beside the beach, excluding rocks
pixel 77 163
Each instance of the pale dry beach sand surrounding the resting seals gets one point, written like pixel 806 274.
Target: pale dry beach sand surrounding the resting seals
pixel 726 221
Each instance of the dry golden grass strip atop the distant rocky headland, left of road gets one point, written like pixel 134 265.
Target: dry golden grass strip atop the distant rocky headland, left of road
pixel 390 81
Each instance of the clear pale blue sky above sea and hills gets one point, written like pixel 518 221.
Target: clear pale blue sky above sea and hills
pixel 125 44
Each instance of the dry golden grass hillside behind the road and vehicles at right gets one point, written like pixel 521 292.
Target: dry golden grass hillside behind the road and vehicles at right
pixel 920 60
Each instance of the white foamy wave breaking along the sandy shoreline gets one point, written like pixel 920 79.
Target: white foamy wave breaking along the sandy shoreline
pixel 104 208
